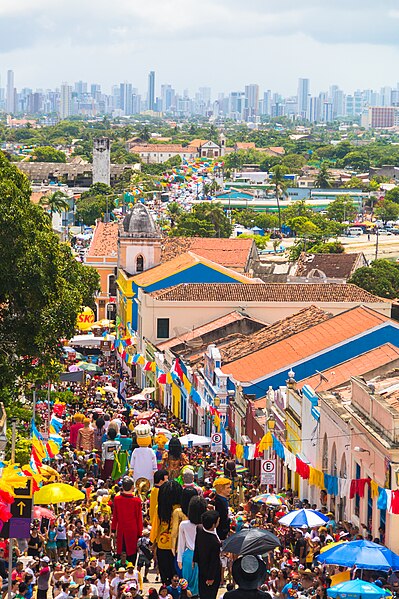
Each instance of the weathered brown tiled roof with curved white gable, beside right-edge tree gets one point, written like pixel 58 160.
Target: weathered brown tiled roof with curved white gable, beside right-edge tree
pixel 339 266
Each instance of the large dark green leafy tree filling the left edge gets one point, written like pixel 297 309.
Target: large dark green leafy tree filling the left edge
pixel 42 287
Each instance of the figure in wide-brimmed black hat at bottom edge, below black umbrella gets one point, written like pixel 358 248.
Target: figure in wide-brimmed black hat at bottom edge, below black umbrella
pixel 249 572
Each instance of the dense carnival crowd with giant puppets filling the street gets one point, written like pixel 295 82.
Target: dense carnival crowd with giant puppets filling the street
pixel 159 535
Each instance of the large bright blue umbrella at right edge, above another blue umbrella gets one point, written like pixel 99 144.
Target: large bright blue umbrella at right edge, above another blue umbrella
pixel 362 554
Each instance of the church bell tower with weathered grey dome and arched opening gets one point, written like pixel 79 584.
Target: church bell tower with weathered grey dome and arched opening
pixel 139 241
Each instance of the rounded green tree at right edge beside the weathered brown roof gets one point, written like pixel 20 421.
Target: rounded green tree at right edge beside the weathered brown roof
pixel 380 278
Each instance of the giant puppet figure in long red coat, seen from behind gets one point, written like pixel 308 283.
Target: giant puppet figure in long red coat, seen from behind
pixel 127 520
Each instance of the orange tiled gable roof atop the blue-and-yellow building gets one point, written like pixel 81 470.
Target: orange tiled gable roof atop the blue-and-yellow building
pixel 180 263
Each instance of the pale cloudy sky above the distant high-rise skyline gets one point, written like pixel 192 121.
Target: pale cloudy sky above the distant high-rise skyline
pixel 224 44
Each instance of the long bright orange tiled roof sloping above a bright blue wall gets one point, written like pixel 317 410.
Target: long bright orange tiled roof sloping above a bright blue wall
pixel 304 344
